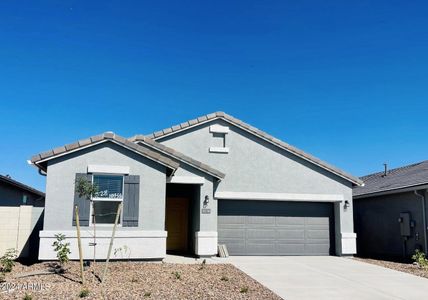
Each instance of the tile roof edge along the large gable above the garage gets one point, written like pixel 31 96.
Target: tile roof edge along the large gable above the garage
pixel 221 115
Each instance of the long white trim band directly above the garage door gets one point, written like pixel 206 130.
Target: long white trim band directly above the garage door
pixel 279 196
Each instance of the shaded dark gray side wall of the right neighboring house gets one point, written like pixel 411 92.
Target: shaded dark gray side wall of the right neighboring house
pixel 378 229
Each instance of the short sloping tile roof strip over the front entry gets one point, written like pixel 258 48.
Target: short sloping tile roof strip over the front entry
pixel 178 155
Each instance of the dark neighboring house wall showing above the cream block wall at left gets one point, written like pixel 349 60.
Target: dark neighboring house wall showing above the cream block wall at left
pixel 12 196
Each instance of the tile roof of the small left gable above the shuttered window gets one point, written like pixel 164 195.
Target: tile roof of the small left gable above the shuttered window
pixel 39 159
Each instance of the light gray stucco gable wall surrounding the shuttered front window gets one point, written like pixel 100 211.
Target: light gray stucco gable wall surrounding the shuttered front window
pixel 61 176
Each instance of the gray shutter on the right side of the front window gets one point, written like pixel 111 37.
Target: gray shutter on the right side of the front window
pixel 131 199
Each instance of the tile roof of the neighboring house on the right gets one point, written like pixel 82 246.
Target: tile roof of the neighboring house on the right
pixel 403 177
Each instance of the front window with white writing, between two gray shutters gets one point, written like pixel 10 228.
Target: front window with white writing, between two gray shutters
pixel 108 197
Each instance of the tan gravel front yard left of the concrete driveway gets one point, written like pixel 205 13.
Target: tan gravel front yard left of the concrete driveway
pixel 136 280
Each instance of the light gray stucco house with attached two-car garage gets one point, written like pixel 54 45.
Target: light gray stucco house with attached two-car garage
pixel 212 180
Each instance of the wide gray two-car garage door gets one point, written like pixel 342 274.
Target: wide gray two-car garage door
pixel 276 228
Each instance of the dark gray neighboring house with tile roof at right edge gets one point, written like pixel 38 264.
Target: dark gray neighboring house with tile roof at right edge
pixel 390 212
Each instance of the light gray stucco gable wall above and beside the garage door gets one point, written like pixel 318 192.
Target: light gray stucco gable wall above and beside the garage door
pixel 254 165
